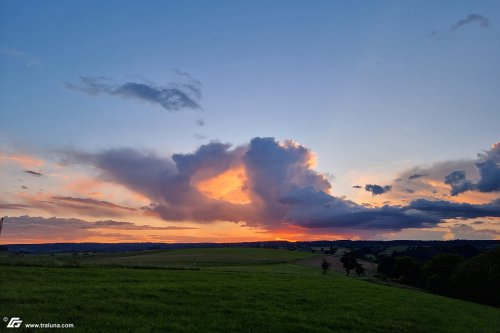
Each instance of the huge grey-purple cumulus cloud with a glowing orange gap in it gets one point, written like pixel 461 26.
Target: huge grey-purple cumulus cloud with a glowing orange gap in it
pixel 279 180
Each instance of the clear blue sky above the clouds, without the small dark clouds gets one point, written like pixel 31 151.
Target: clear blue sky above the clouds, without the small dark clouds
pixel 372 88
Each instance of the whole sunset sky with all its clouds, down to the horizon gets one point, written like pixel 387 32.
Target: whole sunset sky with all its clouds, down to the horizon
pixel 228 121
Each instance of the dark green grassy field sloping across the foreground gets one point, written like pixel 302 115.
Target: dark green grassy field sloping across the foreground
pixel 235 290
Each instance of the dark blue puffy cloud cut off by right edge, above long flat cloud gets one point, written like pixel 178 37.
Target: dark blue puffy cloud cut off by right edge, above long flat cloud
pixel 488 165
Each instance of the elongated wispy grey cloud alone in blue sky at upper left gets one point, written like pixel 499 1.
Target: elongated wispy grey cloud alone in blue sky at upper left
pixel 172 97
